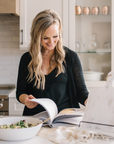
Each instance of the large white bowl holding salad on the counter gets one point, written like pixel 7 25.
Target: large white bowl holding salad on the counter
pixel 19 134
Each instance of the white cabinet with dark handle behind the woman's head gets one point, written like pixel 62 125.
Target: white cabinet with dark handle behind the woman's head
pixel 30 8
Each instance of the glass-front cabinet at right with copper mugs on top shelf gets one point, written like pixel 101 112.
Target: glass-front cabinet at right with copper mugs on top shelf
pixel 100 59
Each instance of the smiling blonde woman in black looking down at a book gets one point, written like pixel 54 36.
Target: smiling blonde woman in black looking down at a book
pixel 49 70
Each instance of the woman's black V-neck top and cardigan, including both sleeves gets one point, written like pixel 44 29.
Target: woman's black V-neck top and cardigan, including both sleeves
pixel 66 90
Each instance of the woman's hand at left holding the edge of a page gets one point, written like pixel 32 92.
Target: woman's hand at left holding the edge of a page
pixel 29 103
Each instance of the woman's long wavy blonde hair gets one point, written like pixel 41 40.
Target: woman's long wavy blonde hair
pixel 41 23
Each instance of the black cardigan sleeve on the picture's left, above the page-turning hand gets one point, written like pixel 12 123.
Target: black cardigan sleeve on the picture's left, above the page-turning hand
pixel 22 75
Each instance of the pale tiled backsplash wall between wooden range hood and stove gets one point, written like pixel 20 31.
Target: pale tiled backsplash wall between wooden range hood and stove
pixel 9 48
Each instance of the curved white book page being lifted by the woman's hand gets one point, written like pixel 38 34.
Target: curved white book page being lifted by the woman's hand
pixel 48 105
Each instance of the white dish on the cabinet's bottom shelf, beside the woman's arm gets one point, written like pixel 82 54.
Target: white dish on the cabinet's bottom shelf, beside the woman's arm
pixel 92 75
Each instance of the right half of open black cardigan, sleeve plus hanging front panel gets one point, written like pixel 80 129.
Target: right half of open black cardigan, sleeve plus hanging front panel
pixel 76 84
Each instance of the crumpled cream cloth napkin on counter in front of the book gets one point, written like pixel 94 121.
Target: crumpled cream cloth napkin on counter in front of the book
pixel 69 135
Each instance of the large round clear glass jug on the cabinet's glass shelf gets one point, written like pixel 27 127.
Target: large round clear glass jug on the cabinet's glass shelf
pixel 92 43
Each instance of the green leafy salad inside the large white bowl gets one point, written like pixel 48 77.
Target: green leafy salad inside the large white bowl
pixel 17 125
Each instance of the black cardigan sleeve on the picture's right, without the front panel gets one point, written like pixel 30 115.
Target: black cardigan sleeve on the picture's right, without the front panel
pixel 81 89
